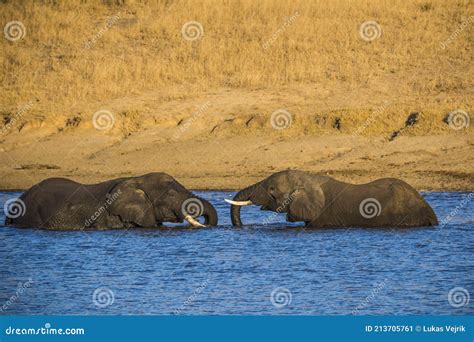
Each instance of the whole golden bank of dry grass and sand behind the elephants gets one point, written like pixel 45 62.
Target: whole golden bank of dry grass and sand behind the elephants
pixel 200 110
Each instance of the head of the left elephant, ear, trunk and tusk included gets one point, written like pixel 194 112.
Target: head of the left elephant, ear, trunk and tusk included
pixel 155 198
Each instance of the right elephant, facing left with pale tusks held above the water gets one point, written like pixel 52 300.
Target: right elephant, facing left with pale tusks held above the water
pixel 321 201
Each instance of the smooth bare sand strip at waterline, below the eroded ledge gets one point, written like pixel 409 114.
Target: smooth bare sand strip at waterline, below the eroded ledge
pixel 441 162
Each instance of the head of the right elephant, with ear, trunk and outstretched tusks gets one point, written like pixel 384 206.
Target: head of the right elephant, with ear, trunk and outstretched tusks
pixel 297 193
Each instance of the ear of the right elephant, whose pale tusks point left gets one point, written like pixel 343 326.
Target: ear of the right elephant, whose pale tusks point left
pixel 307 203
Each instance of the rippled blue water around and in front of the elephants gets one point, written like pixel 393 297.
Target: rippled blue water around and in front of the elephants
pixel 225 270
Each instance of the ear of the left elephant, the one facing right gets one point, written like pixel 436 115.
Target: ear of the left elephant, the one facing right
pixel 131 204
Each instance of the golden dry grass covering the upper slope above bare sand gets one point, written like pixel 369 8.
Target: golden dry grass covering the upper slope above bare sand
pixel 312 44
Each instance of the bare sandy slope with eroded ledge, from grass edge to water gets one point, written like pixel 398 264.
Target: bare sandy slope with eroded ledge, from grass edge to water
pixel 225 140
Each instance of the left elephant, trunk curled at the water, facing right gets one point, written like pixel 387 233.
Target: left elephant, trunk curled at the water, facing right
pixel 145 201
